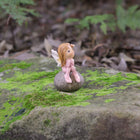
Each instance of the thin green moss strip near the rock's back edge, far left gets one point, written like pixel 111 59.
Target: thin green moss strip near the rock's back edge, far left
pixel 21 65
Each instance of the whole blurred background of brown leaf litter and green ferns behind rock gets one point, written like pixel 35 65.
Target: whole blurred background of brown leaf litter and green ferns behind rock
pixel 106 33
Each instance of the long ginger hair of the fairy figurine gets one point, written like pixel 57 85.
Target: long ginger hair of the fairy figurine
pixel 62 52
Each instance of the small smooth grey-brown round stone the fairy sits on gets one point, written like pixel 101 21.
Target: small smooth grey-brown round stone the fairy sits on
pixel 61 84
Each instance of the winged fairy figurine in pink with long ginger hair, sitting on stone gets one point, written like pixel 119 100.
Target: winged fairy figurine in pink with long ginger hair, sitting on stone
pixel 64 58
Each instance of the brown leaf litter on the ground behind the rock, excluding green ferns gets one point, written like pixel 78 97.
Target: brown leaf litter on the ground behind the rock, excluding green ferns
pixel 118 50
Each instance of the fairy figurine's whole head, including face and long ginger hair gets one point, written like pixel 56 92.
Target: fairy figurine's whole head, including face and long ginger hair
pixel 65 51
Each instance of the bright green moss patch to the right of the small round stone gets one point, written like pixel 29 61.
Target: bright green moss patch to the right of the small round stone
pixel 104 84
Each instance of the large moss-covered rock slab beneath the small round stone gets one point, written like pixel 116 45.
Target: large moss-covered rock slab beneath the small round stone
pixel 106 107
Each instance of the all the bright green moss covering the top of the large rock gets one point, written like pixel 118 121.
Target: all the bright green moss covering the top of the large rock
pixel 25 90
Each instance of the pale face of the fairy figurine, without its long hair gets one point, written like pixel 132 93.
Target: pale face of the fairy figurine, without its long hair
pixel 69 52
